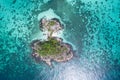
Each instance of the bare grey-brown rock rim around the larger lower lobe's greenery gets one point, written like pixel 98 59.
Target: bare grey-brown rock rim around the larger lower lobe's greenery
pixel 59 58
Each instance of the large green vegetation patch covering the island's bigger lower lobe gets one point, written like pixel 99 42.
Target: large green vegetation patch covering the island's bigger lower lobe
pixel 52 47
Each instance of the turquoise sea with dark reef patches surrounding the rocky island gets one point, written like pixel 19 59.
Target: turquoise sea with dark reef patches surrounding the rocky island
pixel 92 27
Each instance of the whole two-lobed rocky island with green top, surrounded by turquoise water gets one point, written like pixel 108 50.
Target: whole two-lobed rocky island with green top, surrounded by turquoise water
pixel 53 48
